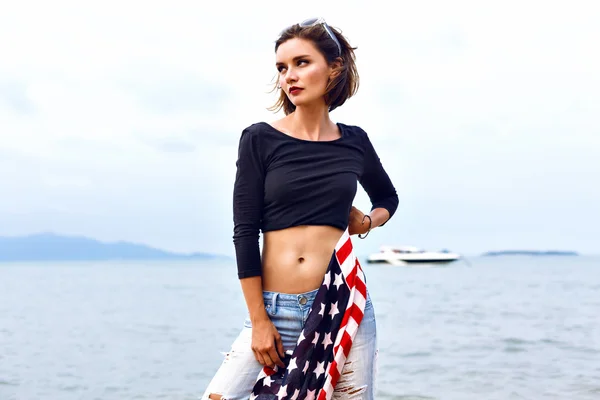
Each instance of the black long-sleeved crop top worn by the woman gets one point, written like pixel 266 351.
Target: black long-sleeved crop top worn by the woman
pixel 282 181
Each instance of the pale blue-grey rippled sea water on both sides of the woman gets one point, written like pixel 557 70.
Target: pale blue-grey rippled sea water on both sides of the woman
pixel 508 327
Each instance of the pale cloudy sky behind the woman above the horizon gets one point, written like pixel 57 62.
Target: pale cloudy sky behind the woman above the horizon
pixel 120 120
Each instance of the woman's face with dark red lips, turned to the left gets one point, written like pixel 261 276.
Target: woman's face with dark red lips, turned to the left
pixel 303 71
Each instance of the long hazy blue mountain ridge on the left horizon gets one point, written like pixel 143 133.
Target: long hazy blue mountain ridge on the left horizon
pixel 52 247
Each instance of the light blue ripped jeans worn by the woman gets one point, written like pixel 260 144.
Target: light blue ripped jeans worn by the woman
pixel 238 373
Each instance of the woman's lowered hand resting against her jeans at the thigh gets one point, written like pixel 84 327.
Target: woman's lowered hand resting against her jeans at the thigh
pixel 266 343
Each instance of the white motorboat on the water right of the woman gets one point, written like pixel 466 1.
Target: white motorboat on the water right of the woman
pixel 411 255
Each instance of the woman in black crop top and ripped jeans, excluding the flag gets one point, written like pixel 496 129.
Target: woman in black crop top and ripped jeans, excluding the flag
pixel 296 180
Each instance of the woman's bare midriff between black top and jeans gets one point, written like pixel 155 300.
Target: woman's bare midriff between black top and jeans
pixel 295 259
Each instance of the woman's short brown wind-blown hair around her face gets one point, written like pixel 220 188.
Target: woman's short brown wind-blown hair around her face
pixel 344 85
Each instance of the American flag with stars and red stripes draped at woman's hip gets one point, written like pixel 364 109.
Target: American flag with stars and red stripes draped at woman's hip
pixel 315 365
